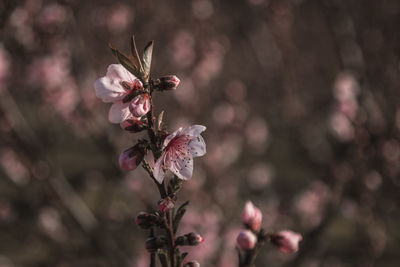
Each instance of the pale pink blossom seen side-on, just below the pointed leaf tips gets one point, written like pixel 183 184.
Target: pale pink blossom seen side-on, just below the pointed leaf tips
pixel 117 87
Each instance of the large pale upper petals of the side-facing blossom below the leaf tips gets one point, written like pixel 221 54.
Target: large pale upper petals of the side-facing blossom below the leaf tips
pixel 109 87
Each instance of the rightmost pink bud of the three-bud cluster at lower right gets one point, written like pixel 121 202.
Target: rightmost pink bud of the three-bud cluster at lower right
pixel 287 241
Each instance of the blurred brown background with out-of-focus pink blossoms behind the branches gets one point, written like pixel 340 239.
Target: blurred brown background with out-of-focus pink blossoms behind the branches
pixel 300 98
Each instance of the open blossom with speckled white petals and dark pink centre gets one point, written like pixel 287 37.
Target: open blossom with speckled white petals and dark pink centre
pixel 178 151
